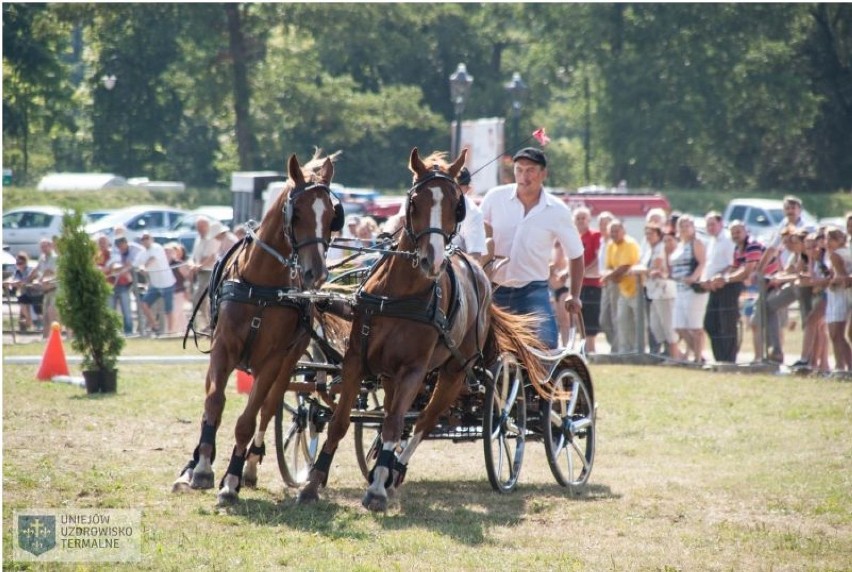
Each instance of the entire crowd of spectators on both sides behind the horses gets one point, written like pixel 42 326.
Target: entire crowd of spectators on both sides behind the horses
pixel 667 292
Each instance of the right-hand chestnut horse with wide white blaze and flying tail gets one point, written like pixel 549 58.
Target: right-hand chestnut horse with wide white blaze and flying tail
pixel 415 314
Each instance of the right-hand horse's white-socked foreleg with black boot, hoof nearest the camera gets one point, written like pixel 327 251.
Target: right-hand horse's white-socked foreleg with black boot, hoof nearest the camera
pixel 376 497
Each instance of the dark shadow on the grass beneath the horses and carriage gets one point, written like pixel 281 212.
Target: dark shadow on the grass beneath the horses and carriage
pixel 461 510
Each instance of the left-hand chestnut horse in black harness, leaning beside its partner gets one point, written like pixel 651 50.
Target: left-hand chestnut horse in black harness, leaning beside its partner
pixel 258 327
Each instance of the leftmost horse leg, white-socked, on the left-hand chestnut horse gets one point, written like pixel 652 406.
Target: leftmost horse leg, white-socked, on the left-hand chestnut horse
pixel 198 472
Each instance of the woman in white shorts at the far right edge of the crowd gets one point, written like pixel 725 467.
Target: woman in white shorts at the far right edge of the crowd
pixel 837 310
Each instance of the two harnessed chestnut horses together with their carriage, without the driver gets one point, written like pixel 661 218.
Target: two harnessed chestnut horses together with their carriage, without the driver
pixel 417 352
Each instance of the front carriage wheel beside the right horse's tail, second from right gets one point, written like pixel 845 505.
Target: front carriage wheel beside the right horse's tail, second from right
pixel 504 424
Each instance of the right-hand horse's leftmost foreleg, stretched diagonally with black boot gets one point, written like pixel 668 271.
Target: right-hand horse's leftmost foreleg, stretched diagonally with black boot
pixel 337 427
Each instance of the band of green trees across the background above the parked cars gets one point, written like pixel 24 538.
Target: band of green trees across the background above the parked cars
pixel 752 96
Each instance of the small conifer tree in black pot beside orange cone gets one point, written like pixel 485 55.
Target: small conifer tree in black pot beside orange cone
pixel 83 302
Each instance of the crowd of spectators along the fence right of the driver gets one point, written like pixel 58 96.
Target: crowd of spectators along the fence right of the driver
pixel 720 283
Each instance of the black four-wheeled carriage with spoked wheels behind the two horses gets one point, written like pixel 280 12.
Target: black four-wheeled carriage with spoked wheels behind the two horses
pixel 499 407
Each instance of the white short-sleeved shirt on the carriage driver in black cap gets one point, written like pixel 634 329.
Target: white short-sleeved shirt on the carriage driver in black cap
pixel 527 240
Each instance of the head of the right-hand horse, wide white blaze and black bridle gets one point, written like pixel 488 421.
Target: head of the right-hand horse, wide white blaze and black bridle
pixel 435 208
